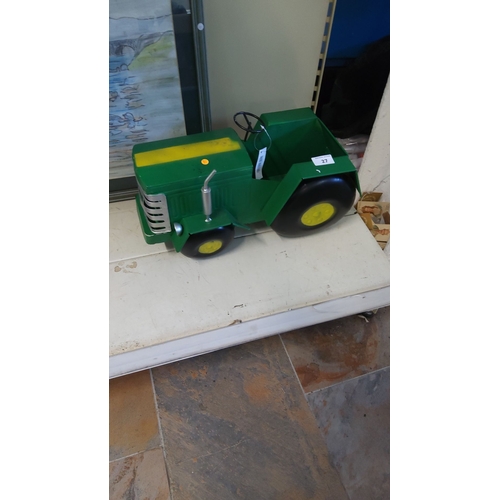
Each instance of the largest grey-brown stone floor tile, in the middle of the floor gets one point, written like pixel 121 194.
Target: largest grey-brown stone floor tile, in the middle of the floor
pixel 236 424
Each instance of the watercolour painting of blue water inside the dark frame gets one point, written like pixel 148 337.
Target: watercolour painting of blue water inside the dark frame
pixel 145 100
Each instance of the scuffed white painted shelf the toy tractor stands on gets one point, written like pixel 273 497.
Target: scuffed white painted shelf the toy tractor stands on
pixel 165 307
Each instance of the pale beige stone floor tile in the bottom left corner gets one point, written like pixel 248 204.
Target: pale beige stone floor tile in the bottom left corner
pixel 142 476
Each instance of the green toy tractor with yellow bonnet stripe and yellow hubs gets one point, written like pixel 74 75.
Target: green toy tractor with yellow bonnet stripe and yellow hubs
pixel 289 171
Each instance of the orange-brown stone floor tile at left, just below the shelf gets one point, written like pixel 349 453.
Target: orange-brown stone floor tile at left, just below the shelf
pixel 133 423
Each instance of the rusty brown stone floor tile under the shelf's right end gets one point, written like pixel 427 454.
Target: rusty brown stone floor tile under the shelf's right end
pixel 338 350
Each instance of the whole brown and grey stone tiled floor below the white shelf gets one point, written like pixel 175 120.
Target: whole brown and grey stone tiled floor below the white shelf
pixel 303 415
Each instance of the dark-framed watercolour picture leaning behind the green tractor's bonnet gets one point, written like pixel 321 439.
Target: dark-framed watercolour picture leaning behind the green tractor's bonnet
pixel 158 85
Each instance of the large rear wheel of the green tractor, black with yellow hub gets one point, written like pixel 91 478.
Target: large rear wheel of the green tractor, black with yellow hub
pixel 315 204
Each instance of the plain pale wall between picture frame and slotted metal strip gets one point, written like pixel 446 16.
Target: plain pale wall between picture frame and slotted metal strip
pixel 262 55
